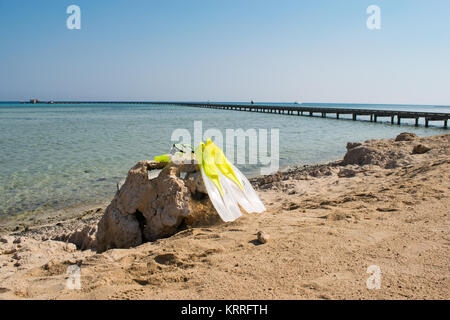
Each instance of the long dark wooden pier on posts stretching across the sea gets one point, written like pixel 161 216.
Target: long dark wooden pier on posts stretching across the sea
pixel 374 115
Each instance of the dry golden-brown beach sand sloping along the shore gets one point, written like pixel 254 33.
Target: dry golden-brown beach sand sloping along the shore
pixel 383 205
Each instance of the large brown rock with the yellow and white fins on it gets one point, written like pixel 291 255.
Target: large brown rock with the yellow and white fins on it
pixel 146 209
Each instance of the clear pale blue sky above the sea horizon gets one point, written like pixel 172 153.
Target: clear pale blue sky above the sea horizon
pixel 226 50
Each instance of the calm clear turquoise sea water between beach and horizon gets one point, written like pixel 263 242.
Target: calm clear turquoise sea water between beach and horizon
pixel 55 156
